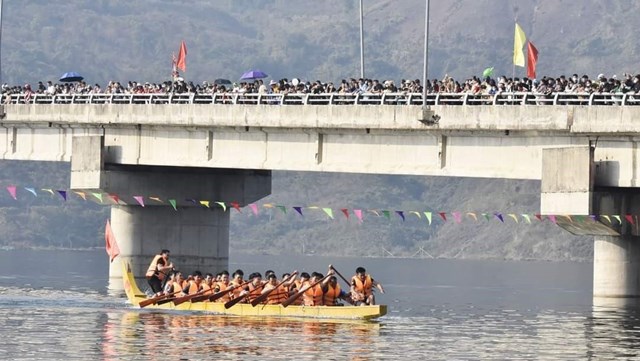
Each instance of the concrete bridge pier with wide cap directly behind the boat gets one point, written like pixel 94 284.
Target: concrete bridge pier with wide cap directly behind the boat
pixel 196 232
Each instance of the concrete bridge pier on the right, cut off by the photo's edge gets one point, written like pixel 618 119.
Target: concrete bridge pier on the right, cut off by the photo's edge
pixel 569 186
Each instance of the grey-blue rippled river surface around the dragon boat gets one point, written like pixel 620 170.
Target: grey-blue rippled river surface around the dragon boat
pixel 54 306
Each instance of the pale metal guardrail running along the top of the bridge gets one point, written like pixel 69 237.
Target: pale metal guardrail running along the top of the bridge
pixel 584 99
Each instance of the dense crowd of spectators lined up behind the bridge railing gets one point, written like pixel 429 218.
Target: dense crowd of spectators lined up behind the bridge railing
pixel 474 85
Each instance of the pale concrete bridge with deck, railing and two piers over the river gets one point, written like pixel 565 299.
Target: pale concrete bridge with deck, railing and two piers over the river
pixel 583 149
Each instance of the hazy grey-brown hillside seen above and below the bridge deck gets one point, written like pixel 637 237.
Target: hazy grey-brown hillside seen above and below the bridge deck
pixel 133 40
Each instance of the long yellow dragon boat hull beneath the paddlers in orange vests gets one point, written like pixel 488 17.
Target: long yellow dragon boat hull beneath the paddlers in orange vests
pixel 135 296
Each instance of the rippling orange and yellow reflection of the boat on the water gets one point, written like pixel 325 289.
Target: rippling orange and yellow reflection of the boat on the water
pixel 155 335
